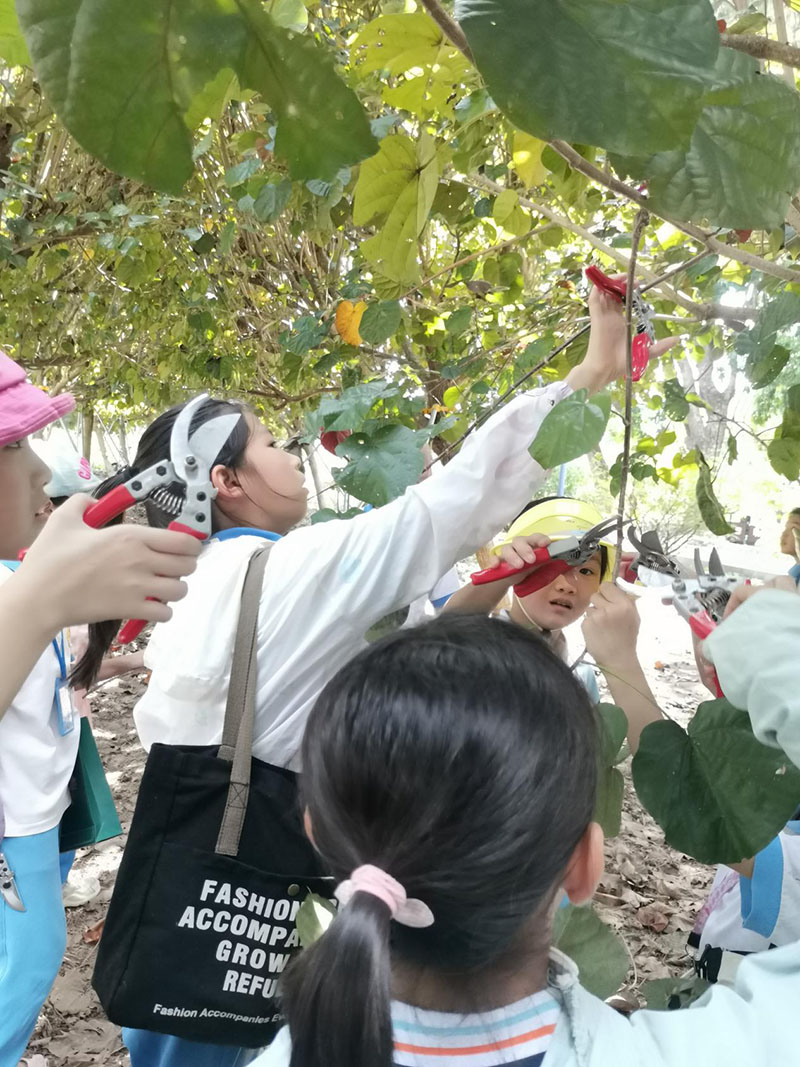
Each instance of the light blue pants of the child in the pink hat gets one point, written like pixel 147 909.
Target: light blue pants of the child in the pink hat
pixel 33 943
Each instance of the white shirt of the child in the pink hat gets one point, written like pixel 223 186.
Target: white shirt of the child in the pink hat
pixel 37 762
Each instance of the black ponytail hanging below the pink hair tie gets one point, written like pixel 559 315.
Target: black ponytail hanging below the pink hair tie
pixel 339 993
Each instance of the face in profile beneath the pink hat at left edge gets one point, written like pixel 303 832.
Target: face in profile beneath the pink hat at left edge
pixel 25 504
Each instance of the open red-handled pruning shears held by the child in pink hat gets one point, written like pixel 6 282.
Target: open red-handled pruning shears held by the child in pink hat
pixel 190 464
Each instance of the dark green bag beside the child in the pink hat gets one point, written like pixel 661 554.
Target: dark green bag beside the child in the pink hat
pixel 92 815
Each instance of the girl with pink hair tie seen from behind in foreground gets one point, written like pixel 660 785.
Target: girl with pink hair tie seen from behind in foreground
pixel 471 864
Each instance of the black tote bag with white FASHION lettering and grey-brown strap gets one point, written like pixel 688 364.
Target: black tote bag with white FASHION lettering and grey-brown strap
pixel 202 921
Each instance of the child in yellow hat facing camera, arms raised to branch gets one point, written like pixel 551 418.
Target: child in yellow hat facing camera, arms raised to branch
pixel 612 620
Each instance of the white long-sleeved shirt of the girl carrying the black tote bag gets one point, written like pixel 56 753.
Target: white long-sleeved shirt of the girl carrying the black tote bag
pixel 325 586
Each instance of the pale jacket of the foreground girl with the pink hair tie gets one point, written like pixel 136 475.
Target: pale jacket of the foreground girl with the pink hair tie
pixel 751 1025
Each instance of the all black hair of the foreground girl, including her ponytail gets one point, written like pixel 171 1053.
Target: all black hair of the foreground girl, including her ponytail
pixel 460 758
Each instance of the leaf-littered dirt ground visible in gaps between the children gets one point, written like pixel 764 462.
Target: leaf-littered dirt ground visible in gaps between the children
pixel 650 895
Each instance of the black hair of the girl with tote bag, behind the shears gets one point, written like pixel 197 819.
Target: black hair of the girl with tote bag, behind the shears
pixel 153 449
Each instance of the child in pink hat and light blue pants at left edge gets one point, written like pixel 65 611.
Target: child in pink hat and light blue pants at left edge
pixel 39 742
